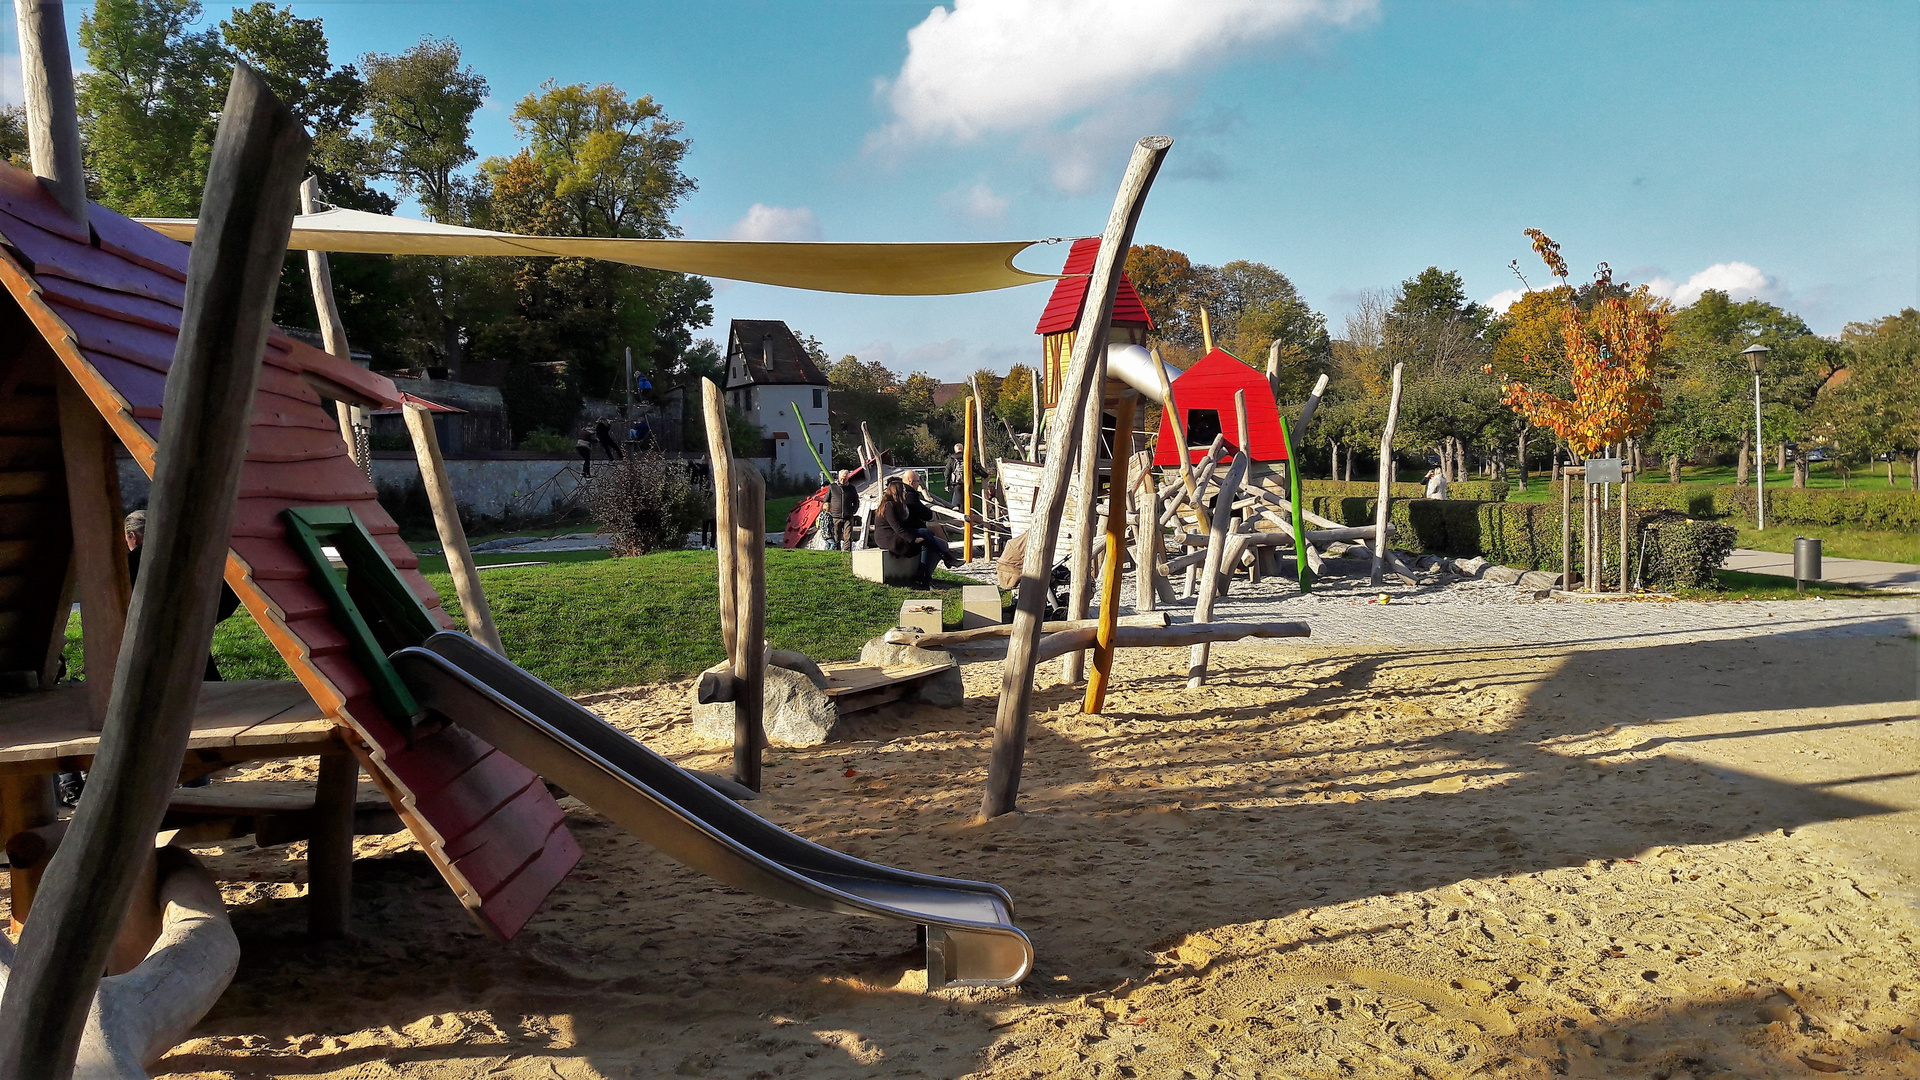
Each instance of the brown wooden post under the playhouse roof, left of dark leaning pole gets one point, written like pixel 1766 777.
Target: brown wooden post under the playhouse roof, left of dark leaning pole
pixel 99 541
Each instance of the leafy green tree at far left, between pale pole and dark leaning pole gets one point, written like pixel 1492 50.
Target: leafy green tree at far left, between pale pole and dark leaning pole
pixel 151 105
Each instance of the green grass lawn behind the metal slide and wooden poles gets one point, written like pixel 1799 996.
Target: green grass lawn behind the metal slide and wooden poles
pixel 594 624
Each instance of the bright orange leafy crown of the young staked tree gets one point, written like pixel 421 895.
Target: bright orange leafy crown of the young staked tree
pixel 1610 355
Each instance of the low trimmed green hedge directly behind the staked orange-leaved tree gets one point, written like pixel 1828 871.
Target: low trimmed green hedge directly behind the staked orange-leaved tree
pixel 1683 554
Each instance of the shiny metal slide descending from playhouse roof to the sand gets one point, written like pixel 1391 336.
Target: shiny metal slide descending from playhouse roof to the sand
pixel 969 925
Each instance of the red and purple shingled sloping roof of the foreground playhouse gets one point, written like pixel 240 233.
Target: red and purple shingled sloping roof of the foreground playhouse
pixel 108 303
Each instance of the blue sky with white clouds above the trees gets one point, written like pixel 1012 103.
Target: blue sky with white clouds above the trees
pixel 1771 149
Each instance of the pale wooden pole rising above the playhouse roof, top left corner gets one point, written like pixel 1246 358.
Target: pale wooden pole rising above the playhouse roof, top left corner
pixel 47 95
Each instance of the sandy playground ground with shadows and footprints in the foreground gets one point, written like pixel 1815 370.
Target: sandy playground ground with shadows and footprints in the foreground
pixel 1679 860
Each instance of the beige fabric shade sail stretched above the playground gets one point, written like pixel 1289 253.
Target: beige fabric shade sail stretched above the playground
pixel 882 270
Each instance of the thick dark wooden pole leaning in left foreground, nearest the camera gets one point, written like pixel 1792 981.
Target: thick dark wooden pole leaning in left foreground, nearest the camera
pixel 233 272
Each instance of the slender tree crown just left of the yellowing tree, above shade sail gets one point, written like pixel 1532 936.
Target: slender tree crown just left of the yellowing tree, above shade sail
pixel 421 105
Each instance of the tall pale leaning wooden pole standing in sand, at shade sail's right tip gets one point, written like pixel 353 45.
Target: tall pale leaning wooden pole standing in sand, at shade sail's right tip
pixel 1024 643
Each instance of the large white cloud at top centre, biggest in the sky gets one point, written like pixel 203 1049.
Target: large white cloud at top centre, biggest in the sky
pixel 990 66
